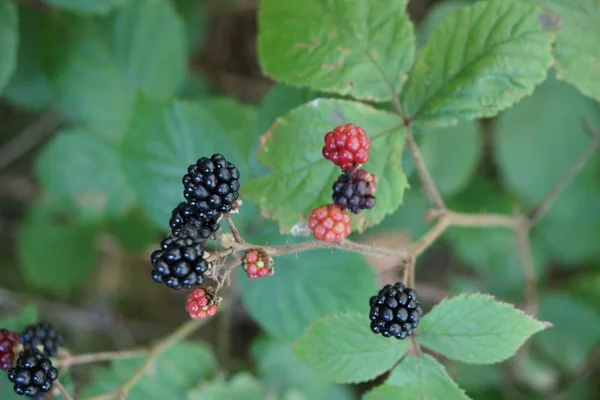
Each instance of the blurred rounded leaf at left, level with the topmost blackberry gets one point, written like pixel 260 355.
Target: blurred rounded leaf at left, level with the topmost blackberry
pixel 85 169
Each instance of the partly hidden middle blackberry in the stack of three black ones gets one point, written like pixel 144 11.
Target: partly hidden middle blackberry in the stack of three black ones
pixel 187 221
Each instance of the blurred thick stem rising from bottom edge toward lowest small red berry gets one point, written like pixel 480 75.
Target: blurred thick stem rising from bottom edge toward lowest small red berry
pixel 180 333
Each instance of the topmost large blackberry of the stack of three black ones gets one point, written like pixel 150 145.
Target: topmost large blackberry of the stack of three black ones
pixel 212 185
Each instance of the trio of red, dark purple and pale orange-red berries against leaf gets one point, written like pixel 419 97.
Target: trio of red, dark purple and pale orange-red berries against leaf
pixel 348 147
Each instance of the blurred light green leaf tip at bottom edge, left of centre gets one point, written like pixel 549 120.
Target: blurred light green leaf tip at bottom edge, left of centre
pixel 242 386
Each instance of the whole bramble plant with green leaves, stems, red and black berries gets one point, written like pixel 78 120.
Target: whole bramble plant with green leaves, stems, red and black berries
pixel 465 129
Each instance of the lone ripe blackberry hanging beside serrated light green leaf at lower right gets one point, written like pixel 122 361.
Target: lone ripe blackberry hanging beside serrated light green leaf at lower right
pixel 395 311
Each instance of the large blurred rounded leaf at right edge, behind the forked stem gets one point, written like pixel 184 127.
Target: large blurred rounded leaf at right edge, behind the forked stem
pixel 543 122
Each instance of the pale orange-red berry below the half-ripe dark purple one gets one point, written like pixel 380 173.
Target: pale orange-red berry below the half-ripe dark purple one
pixel 329 223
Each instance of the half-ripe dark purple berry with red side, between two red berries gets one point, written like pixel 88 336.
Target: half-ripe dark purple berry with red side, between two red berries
pixel 354 190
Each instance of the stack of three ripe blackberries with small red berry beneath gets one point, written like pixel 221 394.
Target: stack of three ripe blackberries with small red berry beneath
pixel 211 188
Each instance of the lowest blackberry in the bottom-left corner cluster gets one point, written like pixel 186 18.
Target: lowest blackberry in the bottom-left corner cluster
pixel 33 374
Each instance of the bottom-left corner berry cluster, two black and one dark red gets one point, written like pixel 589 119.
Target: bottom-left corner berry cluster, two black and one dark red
pixel 33 373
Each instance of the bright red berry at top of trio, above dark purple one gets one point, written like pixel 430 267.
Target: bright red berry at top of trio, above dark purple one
pixel 346 145
